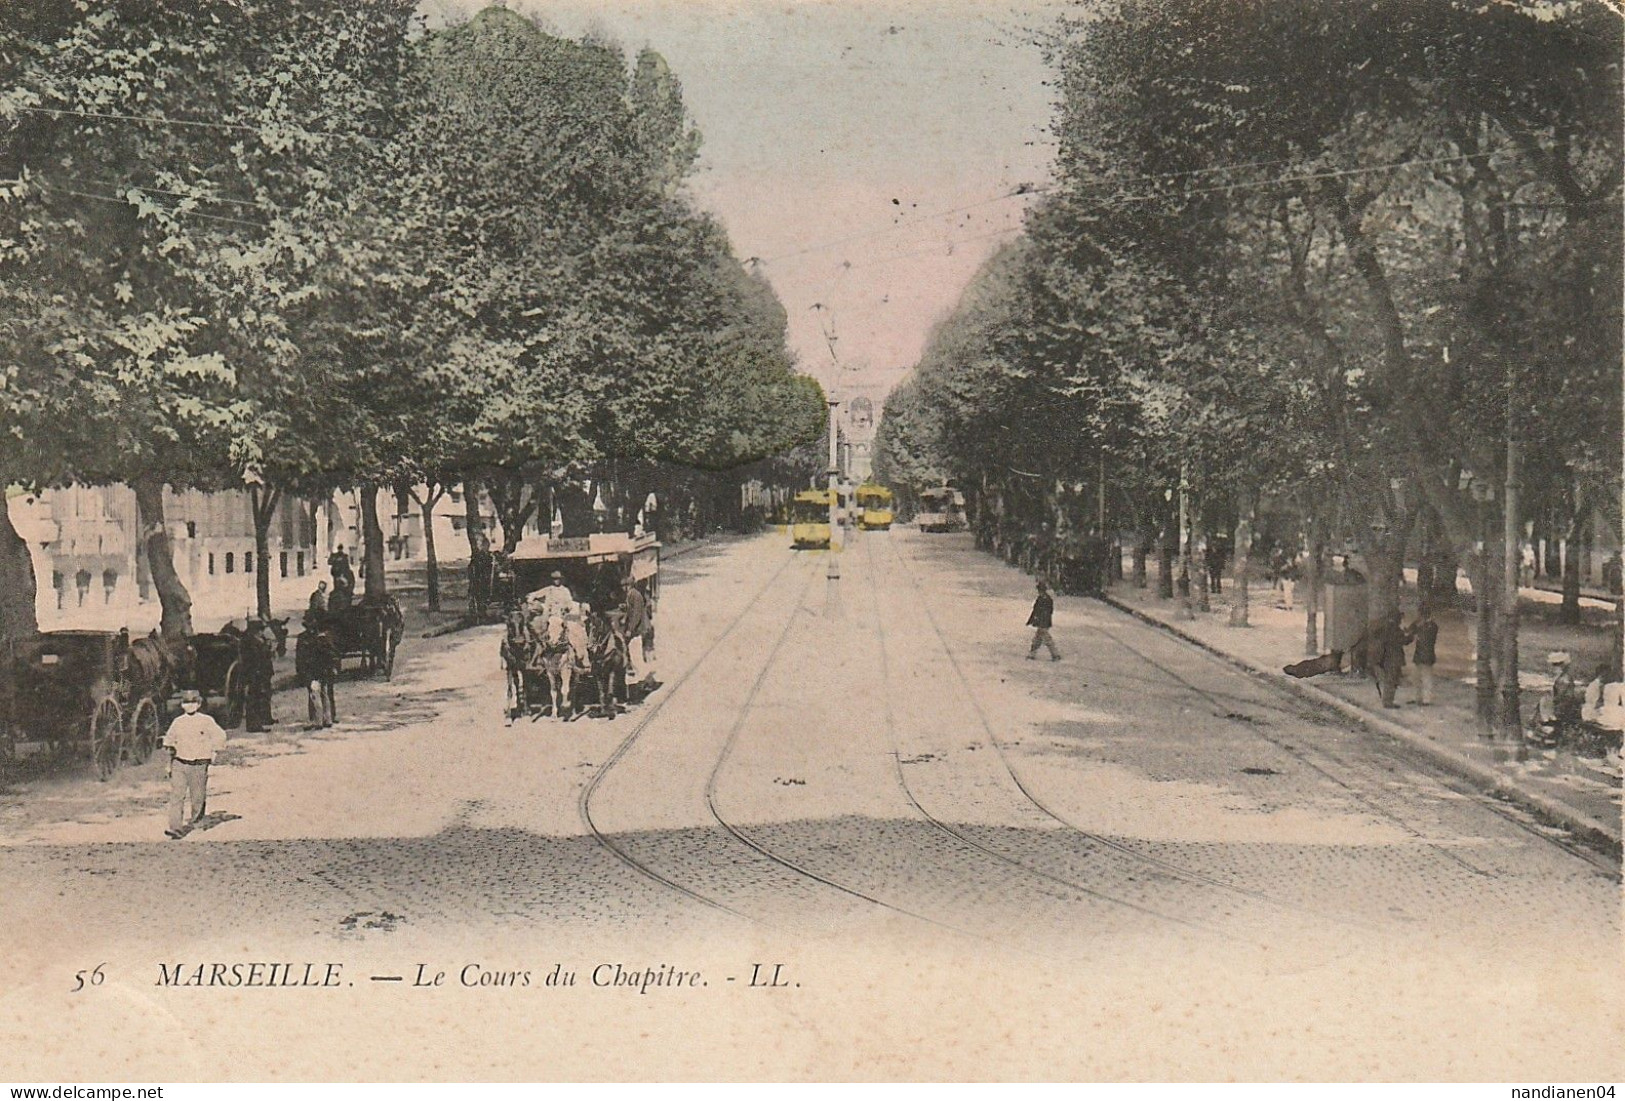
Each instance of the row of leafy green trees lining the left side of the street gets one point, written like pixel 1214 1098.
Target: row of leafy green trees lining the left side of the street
pixel 297 246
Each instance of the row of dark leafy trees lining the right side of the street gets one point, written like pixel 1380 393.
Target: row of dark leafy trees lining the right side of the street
pixel 1356 264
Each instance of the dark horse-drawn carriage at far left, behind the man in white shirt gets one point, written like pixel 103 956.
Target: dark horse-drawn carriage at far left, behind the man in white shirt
pixel 85 689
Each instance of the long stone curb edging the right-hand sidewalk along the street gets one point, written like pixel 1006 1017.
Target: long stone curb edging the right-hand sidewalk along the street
pixel 1463 766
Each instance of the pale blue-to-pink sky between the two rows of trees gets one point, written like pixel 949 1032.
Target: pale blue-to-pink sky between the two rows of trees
pixel 865 153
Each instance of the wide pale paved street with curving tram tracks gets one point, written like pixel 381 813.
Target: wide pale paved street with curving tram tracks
pixel 852 767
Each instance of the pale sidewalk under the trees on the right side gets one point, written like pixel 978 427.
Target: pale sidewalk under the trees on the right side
pixel 1579 793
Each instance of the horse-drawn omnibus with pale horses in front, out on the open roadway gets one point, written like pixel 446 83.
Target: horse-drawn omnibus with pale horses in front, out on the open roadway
pixel 563 654
